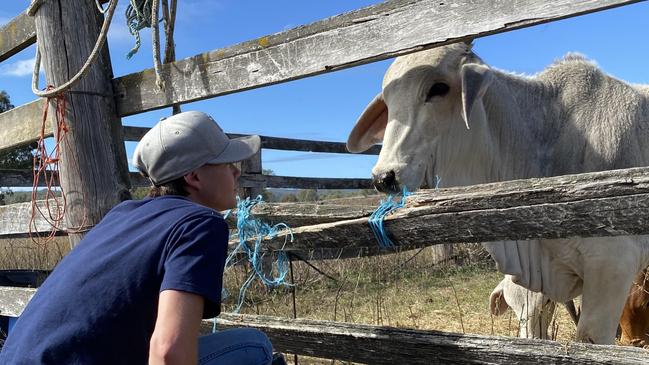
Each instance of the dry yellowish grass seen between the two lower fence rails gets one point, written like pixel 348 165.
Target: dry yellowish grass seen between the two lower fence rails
pixel 421 294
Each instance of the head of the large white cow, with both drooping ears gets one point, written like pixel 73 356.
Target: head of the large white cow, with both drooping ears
pixel 425 95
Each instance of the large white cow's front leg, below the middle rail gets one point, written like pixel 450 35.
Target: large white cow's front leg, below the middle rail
pixel 606 285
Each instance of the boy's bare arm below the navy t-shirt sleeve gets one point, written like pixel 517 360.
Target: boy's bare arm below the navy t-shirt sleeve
pixel 175 337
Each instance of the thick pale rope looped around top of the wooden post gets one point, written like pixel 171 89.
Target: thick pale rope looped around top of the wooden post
pixel 91 58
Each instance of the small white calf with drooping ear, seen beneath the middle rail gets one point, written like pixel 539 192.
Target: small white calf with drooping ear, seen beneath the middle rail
pixel 533 310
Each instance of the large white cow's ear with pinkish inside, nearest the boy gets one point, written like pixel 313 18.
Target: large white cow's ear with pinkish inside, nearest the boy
pixel 370 127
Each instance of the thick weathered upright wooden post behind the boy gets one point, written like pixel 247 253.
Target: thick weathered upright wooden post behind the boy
pixel 93 166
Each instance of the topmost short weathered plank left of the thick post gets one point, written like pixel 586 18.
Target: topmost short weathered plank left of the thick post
pixel 16 35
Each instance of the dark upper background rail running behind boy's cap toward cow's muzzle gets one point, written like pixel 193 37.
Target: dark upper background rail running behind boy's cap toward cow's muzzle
pixel 274 143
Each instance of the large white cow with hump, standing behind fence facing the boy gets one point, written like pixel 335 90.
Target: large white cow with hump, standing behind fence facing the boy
pixel 444 112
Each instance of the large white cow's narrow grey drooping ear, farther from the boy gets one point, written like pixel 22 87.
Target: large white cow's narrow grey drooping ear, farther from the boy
pixel 476 78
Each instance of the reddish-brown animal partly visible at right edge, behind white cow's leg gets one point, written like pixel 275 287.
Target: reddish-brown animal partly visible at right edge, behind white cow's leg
pixel 635 316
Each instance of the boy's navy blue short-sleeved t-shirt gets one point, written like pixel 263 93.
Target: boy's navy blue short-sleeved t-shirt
pixel 99 305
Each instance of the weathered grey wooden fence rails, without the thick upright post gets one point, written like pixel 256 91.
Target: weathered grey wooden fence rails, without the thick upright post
pixel 569 205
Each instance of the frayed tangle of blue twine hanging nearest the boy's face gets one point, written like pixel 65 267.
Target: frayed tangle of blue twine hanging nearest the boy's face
pixel 251 229
